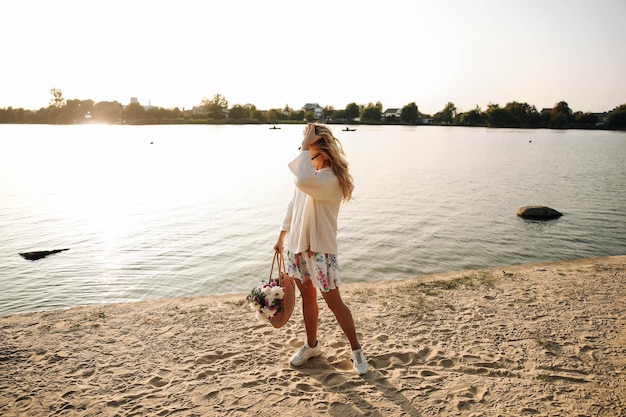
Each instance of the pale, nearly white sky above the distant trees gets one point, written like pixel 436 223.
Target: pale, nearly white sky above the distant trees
pixel 274 53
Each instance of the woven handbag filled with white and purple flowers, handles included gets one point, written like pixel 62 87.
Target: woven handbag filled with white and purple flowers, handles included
pixel 274 300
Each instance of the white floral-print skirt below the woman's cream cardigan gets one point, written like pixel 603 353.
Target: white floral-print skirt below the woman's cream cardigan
pixel 321 268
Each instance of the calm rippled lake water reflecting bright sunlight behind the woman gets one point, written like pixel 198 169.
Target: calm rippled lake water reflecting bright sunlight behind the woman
pixel 166 211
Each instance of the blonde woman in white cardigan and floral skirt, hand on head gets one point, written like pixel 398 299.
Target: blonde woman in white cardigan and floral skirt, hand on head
pixel 322 183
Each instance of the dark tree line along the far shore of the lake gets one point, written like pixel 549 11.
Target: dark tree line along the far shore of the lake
pixel 217 110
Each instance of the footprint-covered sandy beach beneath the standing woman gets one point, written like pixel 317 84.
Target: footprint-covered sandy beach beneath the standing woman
pixel 528 340
